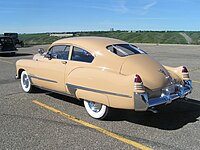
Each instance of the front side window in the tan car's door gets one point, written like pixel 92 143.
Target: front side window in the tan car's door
pixel 60 52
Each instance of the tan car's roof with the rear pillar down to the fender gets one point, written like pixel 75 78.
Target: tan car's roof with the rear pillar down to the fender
pixel 97 46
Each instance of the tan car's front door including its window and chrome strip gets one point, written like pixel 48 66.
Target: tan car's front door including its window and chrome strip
pixel 49 71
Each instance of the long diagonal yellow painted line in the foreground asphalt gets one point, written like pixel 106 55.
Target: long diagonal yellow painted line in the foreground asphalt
pixel 113 135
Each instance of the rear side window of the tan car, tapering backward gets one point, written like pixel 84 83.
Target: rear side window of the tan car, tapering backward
pixel 79 54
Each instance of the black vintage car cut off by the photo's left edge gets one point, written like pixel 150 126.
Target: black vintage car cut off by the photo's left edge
pixel 7 45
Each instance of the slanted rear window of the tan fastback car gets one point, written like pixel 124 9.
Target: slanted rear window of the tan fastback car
pixel 124 49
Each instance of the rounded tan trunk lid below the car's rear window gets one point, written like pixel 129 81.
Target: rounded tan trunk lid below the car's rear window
pixel 153 74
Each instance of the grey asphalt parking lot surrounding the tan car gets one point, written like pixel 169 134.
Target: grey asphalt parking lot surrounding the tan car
pixel 45 120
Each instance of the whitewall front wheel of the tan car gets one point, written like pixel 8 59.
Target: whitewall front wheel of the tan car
pixel 25 82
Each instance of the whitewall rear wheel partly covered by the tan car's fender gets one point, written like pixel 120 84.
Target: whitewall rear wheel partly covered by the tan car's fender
pixel 96 110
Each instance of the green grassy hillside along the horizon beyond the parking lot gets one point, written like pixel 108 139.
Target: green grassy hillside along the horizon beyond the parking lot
pixel 159 37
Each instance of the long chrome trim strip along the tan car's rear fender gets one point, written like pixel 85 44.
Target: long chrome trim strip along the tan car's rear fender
pixel 75 87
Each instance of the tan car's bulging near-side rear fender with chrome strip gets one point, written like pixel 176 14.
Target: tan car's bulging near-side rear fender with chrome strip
pixel 102 86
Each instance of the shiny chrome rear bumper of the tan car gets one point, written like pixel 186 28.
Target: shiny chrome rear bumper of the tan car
pixel 142 102
